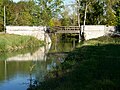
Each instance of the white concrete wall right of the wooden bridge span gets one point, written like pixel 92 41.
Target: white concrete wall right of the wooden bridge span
pixel 95 31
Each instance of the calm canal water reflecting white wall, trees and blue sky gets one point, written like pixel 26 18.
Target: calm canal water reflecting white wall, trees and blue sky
pixel 21 69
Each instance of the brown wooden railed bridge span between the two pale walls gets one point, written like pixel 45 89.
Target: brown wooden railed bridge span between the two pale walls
pixel 66 29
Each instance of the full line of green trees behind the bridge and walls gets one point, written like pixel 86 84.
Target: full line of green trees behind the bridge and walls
pixel 55 13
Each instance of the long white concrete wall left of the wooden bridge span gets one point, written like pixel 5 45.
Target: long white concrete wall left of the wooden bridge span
pixel 36 31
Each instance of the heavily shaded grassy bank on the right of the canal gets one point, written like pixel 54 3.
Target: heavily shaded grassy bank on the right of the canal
pixel 93 66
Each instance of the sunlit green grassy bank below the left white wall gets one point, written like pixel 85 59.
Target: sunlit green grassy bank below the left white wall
pixel 15 42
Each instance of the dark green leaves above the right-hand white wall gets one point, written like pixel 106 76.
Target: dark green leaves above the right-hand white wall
pixel 99 12
